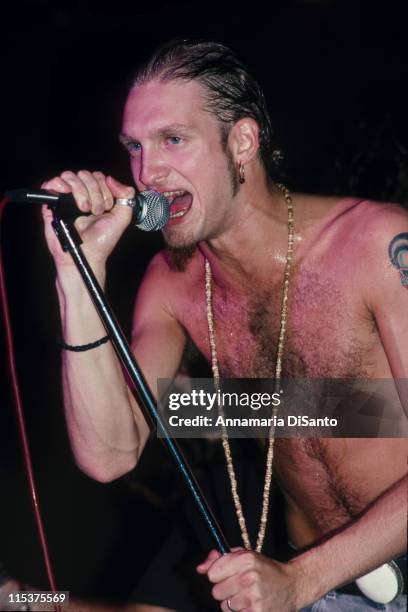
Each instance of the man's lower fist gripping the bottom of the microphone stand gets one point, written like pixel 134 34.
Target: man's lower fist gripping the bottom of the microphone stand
pixel 245 580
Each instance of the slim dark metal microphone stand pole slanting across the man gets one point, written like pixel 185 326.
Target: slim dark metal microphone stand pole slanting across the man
pixel 70 241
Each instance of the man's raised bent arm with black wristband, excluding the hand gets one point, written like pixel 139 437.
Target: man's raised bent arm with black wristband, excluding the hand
pixel 106 427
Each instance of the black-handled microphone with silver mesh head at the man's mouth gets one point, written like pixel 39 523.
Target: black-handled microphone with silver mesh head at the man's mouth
pixel 151 209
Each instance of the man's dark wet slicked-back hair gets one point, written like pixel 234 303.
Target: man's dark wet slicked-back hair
pixel 231 92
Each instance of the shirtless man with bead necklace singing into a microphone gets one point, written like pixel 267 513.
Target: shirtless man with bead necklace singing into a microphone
pixel 195 123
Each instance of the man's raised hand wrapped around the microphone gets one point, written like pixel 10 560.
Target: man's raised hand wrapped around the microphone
pixel 94 193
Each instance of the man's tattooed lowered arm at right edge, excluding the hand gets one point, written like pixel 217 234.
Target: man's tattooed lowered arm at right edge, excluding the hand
pixel 381 532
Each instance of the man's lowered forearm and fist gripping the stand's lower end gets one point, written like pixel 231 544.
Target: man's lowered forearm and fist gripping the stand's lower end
pixel 251 580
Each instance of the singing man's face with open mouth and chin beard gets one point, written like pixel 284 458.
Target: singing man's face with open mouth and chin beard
pixel 175 148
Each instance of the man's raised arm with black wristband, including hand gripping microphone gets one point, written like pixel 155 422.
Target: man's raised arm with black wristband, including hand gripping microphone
pixel 106 427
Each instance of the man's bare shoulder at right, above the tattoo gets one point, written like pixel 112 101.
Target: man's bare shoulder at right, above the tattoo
pixel 354 237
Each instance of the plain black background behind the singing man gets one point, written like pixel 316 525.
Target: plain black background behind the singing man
pixel 335 77
